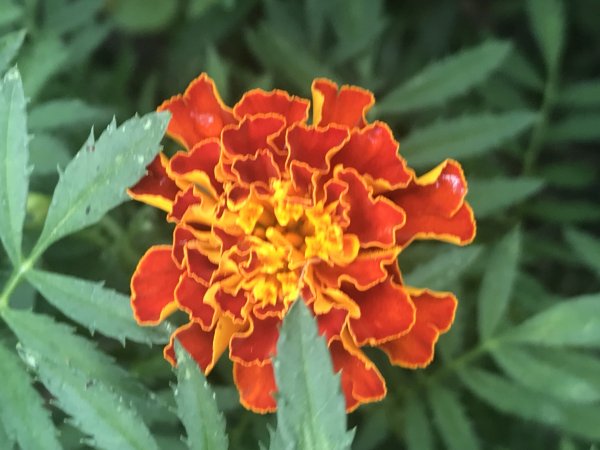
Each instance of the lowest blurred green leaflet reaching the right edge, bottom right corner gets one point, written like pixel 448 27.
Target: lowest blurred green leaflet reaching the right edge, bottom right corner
pixel 580 420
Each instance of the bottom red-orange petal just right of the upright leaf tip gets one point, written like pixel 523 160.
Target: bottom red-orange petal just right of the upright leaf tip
pixel 361 381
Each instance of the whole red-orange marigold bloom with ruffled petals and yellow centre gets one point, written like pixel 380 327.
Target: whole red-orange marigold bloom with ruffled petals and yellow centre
pixel 269 207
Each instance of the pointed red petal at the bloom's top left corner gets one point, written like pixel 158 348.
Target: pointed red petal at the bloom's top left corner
pixel 197 114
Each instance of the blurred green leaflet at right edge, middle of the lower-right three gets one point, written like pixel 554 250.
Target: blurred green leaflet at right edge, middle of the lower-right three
pixel 569 378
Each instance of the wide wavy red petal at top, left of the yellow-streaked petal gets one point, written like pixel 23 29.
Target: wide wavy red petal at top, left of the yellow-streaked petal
pixel 257 101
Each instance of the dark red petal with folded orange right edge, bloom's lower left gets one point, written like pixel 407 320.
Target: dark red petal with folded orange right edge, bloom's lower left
pixel 204 346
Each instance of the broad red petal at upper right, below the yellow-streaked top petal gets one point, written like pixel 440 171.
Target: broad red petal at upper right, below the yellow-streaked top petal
pixel 373 152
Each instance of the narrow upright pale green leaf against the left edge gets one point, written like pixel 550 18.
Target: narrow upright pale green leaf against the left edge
pixel 14 175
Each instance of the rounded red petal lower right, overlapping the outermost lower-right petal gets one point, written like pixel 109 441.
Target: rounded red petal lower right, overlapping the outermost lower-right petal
pixel 386 312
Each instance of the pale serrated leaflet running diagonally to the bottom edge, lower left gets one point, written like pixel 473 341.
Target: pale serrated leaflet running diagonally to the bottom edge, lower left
pixel 93 407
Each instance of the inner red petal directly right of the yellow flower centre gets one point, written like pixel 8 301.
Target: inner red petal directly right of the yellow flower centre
pixel 374 221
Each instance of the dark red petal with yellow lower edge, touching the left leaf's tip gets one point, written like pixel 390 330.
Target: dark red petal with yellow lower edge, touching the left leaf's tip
pixel 156 188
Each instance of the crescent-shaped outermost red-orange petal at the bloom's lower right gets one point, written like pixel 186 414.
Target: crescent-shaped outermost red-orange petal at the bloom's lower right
pixel 435 314
